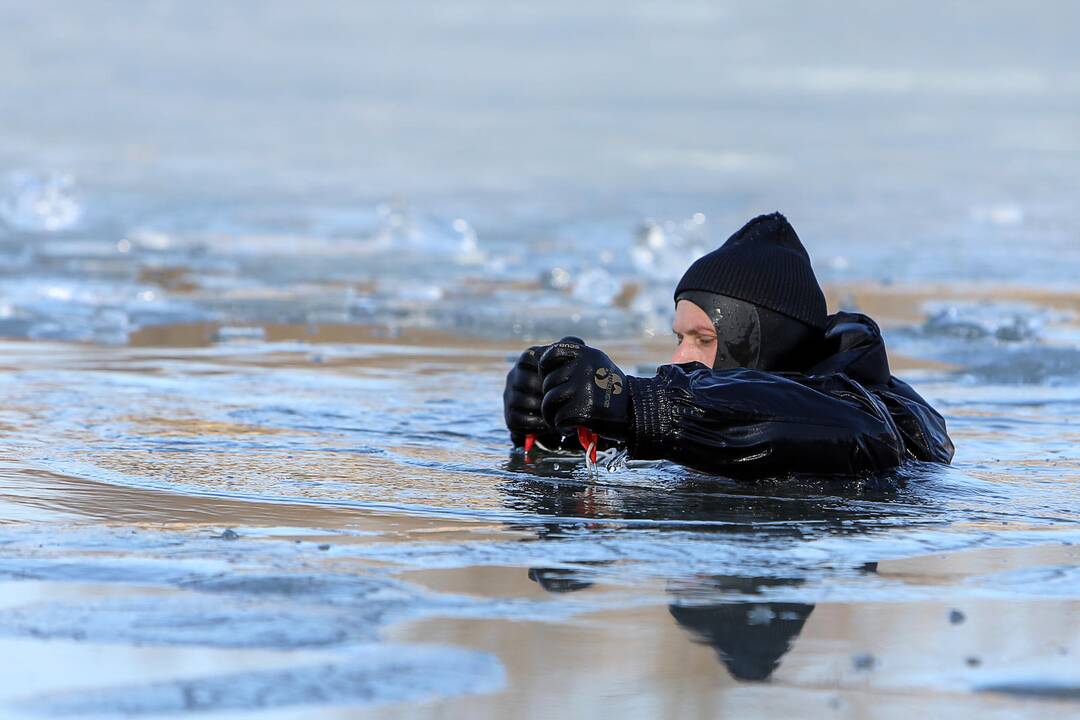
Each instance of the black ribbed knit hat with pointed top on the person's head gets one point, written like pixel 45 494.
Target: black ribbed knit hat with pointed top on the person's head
pixel 765 264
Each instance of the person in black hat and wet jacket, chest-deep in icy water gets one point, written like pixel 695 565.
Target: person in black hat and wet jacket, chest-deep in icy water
pixel 763 383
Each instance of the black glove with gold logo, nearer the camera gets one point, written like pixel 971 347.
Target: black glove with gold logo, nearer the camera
pixel 584 388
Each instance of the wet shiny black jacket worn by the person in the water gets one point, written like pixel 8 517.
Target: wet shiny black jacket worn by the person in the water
pixel 845 415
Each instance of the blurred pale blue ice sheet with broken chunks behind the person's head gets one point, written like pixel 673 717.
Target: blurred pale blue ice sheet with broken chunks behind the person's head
pixel 488 167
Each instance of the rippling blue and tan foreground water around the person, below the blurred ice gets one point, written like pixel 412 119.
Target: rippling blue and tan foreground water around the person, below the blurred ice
pixel 302 500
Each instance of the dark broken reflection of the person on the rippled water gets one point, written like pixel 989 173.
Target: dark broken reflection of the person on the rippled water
pixel 736 616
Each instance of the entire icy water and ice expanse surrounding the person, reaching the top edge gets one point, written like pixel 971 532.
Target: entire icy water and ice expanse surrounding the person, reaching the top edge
pixel 262 279
